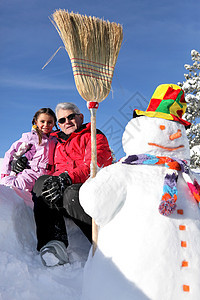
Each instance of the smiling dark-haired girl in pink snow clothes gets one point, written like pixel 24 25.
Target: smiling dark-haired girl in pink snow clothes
pixel 37 147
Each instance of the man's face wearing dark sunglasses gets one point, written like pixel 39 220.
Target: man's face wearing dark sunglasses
pixel 70 125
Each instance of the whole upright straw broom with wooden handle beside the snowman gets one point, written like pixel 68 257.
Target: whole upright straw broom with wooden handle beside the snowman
pixel 93 46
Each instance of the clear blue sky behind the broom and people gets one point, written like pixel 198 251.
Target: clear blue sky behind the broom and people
pixel 158 38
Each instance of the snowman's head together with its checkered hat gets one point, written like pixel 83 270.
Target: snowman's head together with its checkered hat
pixel 160 130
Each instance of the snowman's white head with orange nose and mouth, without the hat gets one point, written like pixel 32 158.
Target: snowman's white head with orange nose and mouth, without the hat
pixel 156 136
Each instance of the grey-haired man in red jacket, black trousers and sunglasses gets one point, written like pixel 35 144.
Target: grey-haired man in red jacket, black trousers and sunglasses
pixel 56 196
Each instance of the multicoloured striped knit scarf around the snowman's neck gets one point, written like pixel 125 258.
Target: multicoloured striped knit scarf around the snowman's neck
pixel 169 196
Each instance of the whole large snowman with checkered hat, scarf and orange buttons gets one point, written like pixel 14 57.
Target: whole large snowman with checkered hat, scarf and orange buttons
pixel 146 207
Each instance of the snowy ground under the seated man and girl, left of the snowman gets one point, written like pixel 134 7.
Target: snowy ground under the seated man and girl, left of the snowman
pixel 22 274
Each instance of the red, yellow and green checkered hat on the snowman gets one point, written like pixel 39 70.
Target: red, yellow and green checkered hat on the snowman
pixel 167 102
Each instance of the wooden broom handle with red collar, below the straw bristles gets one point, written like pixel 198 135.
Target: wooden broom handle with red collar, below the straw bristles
pixel 93 168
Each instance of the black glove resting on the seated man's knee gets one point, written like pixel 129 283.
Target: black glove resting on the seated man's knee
pixel 53 189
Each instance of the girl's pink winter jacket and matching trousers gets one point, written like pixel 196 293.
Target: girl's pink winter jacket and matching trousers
pixel 40 160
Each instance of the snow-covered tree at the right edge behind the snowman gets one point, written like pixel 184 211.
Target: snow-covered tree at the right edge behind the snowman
pixel 191 87
